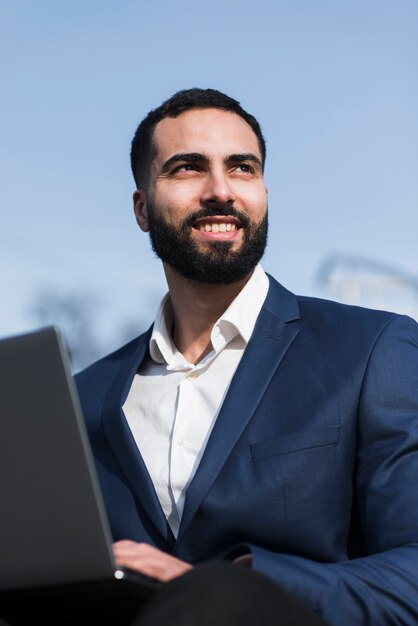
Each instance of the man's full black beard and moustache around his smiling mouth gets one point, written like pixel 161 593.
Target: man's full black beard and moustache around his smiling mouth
pixel 218 264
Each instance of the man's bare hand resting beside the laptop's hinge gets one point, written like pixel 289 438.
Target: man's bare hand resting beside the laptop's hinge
pixel 149 560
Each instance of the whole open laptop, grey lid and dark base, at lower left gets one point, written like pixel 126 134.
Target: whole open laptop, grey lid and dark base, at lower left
pixel 56 561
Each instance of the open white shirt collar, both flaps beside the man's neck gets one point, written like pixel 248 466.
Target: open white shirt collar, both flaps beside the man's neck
pixel 239 319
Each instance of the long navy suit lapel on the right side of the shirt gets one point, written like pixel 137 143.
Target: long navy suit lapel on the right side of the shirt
pixel 270 340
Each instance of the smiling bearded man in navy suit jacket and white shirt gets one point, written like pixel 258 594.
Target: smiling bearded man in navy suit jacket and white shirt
pixel 250 424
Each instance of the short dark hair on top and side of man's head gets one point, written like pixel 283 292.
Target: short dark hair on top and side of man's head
pixel 143 150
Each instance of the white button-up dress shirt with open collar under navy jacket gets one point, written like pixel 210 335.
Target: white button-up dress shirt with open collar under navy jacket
pixel 172 405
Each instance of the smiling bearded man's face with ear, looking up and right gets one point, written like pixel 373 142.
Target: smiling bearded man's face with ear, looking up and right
pixel 206 203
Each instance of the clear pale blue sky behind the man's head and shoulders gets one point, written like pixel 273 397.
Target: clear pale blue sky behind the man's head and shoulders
pixel 333 83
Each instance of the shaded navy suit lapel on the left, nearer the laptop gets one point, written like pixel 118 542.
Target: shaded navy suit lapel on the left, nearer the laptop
pixel 122 442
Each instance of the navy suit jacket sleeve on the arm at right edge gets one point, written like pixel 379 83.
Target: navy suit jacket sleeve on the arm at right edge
pixel 381 588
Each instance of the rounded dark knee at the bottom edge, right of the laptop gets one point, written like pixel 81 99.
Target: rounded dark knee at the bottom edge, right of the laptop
pixel 222 594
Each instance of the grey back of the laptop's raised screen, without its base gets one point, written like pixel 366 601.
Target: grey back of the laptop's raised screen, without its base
pixel 53 525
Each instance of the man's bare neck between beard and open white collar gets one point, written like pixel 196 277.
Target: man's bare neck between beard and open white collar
pixel 196 308
